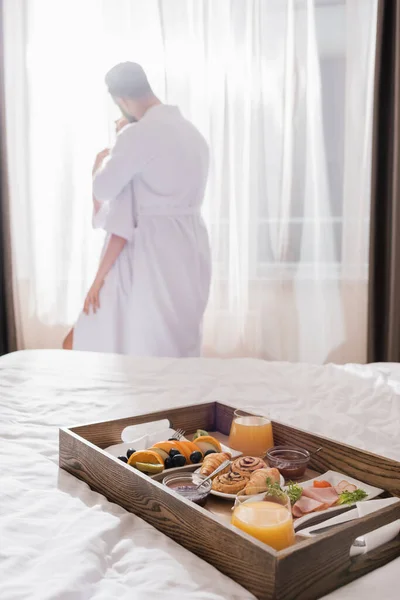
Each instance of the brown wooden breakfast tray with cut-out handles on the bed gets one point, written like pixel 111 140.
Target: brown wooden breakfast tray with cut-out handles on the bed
pixel 309 569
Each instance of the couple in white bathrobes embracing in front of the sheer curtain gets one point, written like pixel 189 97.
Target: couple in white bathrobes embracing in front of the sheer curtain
pixel 152 287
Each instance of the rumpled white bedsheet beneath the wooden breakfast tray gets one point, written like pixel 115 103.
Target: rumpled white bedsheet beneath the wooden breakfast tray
pixel 60 540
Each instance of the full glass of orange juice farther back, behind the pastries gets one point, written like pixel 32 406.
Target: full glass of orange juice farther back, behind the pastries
pixel 251 434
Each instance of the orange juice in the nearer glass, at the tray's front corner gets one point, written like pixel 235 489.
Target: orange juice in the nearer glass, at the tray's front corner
pixel 269 522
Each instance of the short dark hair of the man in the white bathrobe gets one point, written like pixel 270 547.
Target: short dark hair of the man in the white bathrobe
pixel 128 80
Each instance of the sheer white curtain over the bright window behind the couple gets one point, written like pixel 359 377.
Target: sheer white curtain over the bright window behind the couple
pixel 282 90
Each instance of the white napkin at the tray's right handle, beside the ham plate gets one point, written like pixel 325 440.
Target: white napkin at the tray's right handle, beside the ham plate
pixel 380 536
